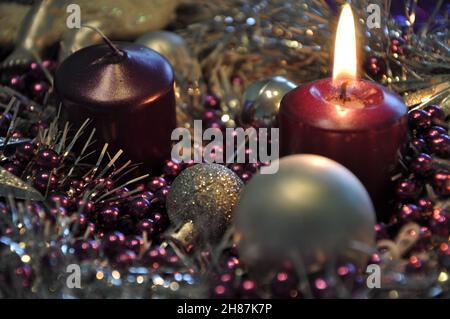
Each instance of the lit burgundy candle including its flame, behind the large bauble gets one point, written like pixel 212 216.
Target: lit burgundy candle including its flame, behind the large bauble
pixel 358 123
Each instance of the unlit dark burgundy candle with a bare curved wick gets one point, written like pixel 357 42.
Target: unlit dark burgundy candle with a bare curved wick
pixel 128 91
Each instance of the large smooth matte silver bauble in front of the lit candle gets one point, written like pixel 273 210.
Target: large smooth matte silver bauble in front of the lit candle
pixel 313 210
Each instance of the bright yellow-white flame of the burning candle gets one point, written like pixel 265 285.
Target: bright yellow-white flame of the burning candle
pixel 344 67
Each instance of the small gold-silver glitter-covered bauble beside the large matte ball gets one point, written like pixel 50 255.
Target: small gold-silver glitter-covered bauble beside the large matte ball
pixel 204 196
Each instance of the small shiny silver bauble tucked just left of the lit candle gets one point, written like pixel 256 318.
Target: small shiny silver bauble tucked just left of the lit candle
pixel 262 101
